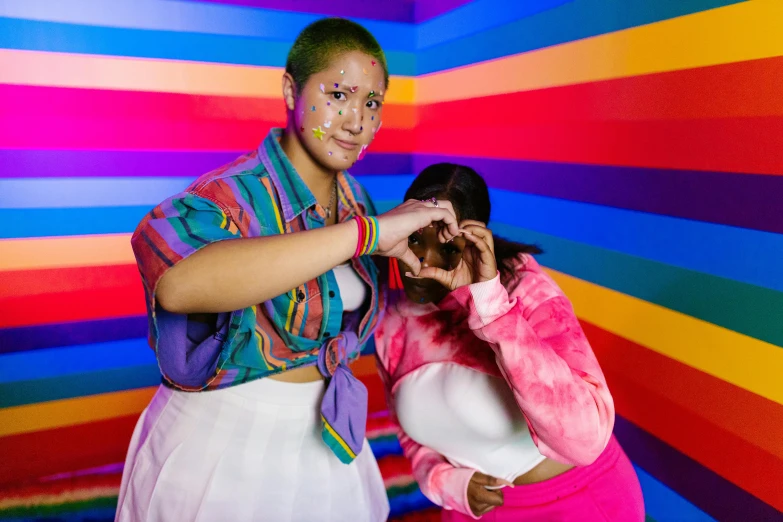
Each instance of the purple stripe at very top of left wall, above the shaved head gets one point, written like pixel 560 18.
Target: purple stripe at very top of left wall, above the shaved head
pixel 398 11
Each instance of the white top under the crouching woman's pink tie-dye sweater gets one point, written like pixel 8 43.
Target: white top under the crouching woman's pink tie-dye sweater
pixel 467 416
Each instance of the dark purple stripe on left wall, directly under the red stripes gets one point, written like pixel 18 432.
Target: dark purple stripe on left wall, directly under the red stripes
pixel 68 334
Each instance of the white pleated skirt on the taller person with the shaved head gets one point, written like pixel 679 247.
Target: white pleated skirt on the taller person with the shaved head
pixel 252 452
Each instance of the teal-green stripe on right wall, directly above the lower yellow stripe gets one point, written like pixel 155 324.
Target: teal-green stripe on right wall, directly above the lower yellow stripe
pixel 744 308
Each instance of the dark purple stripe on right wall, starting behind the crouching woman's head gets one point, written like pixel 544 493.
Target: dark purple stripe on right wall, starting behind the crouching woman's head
pixel 742 200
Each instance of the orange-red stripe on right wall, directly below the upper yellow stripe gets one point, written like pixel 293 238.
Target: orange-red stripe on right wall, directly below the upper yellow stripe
pixel 724 91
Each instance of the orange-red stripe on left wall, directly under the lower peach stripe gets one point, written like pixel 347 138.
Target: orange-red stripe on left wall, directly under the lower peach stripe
pixel 19 283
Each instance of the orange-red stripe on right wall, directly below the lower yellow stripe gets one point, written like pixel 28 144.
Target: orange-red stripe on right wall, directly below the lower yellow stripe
pixel 744 414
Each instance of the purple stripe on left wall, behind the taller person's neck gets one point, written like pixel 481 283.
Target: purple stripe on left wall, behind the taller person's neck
pixel 100 163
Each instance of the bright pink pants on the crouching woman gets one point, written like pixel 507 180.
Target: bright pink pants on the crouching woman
pixel 605 491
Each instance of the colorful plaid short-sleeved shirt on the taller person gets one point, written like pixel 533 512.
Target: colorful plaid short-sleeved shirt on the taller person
pixel 259 194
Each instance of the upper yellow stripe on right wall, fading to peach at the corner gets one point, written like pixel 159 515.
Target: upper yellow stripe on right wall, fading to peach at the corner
pixel 739 32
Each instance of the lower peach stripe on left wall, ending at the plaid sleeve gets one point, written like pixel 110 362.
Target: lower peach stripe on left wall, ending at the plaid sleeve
pixel 28 254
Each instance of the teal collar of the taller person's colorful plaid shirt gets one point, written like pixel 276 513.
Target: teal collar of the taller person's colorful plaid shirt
pixel 294 195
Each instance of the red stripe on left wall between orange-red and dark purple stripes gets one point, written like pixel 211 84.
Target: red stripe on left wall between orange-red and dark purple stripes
pixel 80 305
